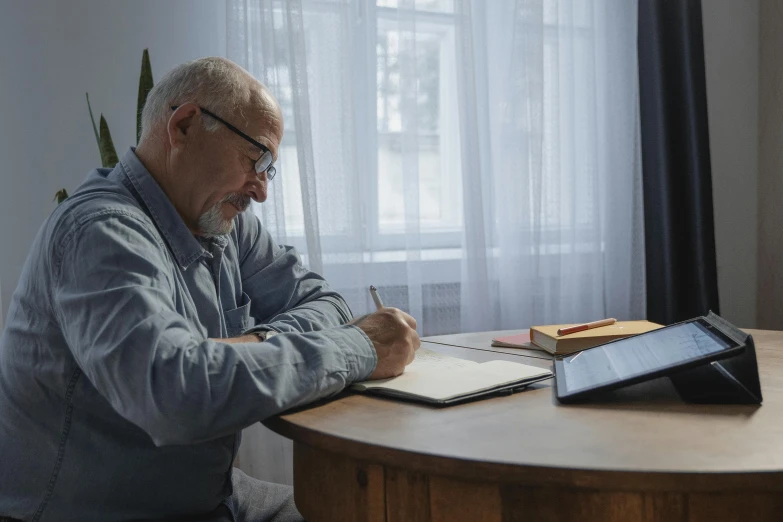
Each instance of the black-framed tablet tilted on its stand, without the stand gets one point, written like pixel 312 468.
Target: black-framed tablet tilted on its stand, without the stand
pixel 641 357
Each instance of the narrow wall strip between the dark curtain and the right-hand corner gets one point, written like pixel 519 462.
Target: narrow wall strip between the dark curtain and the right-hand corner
pixel 731 45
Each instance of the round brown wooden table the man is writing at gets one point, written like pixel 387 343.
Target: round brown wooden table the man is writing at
pixel 640 456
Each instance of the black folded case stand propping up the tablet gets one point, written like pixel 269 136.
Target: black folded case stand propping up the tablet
pixel 728 381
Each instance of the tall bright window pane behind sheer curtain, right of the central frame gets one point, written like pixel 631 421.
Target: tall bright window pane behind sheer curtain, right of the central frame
pixel 435 117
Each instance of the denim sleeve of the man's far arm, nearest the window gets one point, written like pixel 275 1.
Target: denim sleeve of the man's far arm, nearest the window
pixel 285 296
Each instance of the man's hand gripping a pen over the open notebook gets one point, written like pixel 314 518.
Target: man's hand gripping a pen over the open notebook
pixel 393 334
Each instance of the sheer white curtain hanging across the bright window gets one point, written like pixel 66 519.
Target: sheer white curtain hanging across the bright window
pixel 478 161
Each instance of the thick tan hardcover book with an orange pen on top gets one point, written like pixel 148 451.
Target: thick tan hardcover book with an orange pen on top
pixel 546 336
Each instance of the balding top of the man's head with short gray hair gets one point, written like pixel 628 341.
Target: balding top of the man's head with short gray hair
pixel 216 83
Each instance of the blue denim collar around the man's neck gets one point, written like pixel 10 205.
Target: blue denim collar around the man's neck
pixel 185 247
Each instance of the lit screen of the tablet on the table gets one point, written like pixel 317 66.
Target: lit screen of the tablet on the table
pixel 642 354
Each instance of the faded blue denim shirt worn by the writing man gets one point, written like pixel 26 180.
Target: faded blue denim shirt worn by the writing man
pixel 116 401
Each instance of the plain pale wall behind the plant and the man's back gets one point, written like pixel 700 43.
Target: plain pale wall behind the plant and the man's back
pixel 51 53
